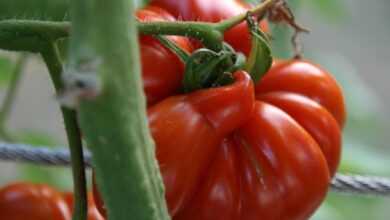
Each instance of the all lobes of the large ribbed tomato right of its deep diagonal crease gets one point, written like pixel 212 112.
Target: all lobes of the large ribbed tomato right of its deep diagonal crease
pixel 278 165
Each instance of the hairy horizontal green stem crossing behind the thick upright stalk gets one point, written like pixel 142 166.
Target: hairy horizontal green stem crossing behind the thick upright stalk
pixel 22 35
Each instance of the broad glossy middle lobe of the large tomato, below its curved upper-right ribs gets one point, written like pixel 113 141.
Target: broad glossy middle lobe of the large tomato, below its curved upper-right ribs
pixel 269 169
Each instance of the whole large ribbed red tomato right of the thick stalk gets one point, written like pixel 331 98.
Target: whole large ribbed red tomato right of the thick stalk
pixel 224 156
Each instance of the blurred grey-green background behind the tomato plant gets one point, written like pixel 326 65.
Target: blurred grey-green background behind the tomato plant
pixel 350 38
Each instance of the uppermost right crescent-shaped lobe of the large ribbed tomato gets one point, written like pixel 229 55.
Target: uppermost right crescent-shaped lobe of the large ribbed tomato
pixel 307 79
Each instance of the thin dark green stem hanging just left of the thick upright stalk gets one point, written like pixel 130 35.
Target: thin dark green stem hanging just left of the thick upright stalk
pixel 50 55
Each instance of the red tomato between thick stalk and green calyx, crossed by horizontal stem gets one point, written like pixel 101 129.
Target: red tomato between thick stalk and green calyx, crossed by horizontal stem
pixel 162 70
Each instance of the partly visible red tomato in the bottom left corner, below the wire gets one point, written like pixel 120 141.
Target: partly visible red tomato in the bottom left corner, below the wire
pixel 21 201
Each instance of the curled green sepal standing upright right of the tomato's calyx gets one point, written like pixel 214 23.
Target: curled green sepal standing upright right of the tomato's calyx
pixel 260 58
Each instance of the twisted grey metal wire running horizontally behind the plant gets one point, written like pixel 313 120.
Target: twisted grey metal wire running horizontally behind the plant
pixel 351 184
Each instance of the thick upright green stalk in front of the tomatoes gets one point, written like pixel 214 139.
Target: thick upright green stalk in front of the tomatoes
pixel 114 122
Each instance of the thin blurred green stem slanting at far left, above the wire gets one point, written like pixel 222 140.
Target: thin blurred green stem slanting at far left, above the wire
pixel 10 96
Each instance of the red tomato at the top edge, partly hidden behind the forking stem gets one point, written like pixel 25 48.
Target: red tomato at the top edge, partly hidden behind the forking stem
pixel 213 11
